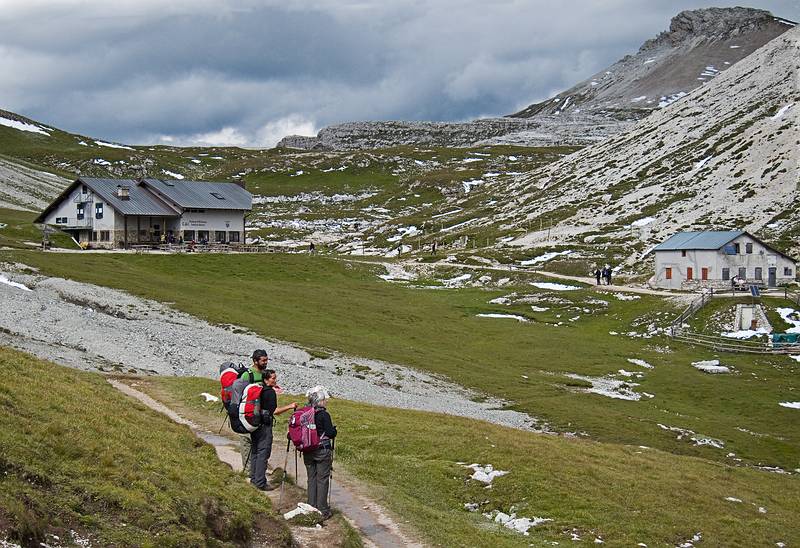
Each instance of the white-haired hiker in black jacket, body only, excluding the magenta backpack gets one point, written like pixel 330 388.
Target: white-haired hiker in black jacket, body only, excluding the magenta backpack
pixel 319 461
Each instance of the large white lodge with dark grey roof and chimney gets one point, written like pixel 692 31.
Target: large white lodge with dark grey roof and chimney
pixel 122 212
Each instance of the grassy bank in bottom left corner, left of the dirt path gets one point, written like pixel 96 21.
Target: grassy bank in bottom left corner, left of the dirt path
pixel 81 461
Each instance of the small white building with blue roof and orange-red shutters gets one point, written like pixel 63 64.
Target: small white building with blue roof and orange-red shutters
pixel 689 260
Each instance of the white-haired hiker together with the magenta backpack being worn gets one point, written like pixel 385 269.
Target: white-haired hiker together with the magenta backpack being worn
pixel 312 431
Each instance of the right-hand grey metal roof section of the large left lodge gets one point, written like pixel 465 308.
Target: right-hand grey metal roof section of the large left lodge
pixel 203 194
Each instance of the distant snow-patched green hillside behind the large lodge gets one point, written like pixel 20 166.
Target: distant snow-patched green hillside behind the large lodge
pixel 362 197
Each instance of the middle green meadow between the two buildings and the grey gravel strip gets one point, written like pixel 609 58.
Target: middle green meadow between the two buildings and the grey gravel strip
pixel 338 305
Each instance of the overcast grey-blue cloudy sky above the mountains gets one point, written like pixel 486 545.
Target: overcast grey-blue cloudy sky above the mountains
pixel 247 72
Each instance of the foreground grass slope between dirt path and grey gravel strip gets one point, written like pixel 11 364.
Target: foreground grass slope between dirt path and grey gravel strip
pixel 621 494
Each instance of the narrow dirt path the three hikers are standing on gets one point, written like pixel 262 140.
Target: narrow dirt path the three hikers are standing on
pixel 376 526
